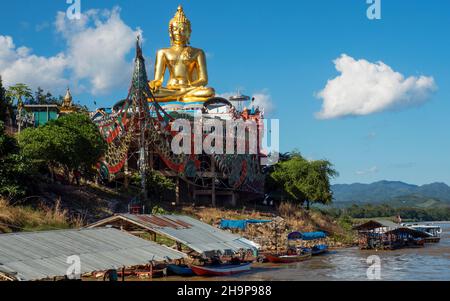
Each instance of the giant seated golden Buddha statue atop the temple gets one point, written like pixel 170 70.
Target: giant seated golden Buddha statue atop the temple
pixel 186 65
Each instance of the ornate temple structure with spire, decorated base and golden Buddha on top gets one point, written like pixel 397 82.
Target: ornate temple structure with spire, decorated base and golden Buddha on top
pixel 139 135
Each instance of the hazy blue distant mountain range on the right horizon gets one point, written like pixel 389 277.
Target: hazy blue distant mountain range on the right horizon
pixel 393 192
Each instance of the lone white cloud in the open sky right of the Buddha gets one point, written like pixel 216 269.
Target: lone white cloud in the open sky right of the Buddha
pixel 365 88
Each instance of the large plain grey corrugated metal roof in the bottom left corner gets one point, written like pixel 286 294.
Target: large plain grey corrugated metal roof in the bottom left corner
pixel 41 255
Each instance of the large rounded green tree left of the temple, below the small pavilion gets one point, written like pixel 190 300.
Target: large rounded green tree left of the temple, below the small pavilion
pixel 72 142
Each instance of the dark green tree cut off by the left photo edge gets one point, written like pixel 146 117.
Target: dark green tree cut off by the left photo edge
pixel 14 168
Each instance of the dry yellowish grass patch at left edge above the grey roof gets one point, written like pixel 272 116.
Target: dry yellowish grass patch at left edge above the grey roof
pixel 19 218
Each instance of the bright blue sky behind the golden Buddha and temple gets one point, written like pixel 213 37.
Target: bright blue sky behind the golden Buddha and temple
pixel 282 50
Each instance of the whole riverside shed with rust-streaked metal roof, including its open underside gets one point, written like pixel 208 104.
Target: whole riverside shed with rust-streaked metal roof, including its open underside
pixel 188 233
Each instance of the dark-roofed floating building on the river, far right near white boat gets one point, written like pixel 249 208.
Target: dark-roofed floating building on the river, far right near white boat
pixel 387 235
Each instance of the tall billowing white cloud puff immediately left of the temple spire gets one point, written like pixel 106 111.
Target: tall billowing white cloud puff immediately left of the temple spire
pixel 98 53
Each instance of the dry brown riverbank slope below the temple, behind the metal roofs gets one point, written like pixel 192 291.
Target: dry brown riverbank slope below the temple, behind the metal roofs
pixel 65 206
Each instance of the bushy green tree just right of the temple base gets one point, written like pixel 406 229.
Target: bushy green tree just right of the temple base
pixel 303 181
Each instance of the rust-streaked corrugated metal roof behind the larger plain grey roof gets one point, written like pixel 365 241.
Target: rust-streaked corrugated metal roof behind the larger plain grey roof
pixel 191 232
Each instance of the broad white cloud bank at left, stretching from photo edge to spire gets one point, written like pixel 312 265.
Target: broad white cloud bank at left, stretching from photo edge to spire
pixel 95 56
